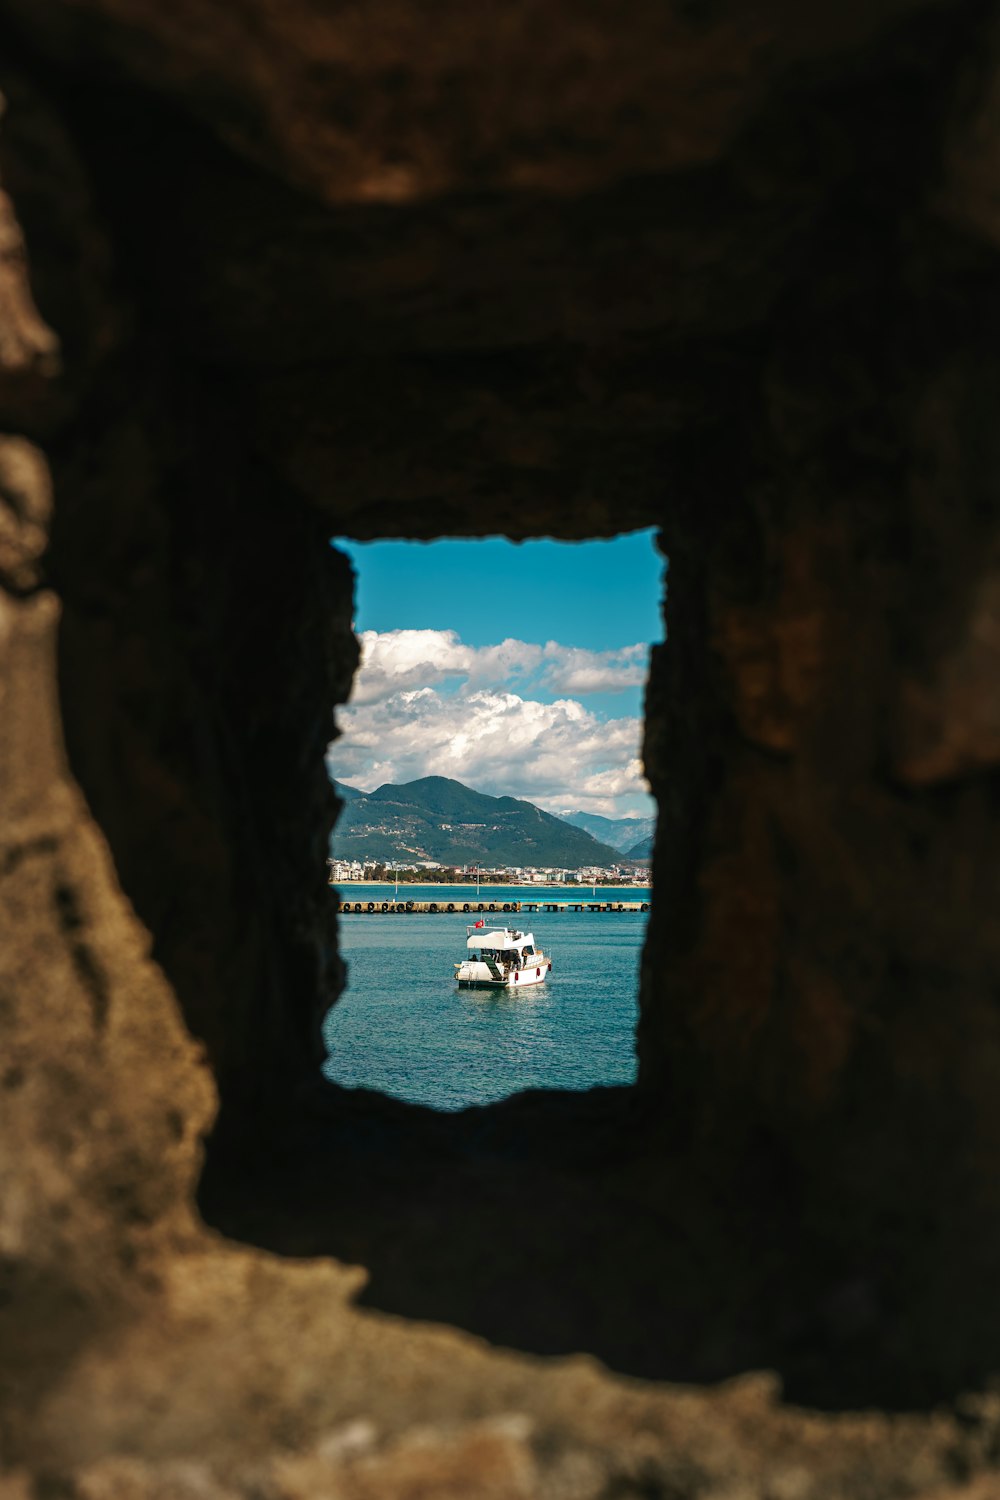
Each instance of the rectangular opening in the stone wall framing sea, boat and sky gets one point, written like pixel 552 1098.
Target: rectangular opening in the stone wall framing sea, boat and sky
pixel 494 671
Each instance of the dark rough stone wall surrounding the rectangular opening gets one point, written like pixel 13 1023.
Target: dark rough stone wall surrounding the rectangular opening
pixel 271 274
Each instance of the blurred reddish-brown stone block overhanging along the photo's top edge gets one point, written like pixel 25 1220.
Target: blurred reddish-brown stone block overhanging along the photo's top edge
pixel 391 103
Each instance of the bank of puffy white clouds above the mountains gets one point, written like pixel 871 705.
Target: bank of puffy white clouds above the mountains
pixel 425 704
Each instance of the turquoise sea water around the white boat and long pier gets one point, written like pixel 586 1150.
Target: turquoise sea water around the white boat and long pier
pixel 404 1027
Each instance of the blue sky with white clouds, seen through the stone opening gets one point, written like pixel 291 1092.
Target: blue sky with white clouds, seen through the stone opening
pixel 516 668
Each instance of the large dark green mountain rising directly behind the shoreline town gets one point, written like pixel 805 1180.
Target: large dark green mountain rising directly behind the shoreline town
pixel 440 820
